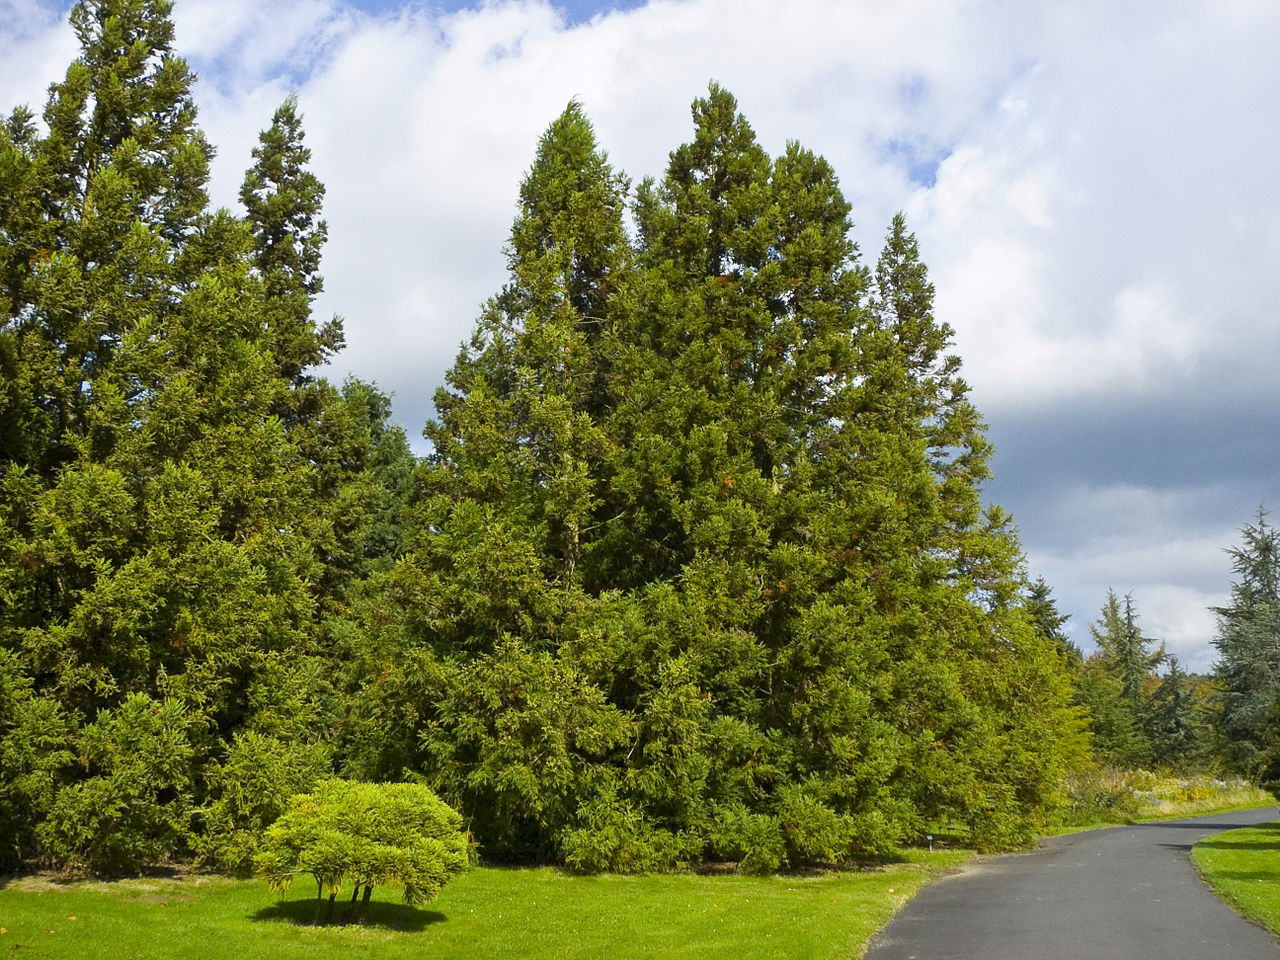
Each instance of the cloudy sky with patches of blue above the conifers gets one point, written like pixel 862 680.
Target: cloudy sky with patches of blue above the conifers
pixel 1094 186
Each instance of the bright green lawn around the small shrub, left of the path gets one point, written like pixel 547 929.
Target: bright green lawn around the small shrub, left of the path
pixel 487 913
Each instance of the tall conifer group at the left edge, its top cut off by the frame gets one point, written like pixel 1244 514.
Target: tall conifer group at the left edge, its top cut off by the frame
pixel 159 557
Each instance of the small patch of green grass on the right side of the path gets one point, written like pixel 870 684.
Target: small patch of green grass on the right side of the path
pixel 1244 867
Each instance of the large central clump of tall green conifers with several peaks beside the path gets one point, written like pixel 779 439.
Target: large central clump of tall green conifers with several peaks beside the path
pixel 700 565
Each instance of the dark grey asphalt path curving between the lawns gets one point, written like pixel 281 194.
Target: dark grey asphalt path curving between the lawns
pixel 1123 894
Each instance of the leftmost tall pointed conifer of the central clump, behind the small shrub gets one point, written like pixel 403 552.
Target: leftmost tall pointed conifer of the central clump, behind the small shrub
pixel 499 689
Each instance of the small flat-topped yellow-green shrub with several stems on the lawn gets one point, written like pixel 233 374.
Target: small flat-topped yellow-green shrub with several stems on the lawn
pixel 367 834
